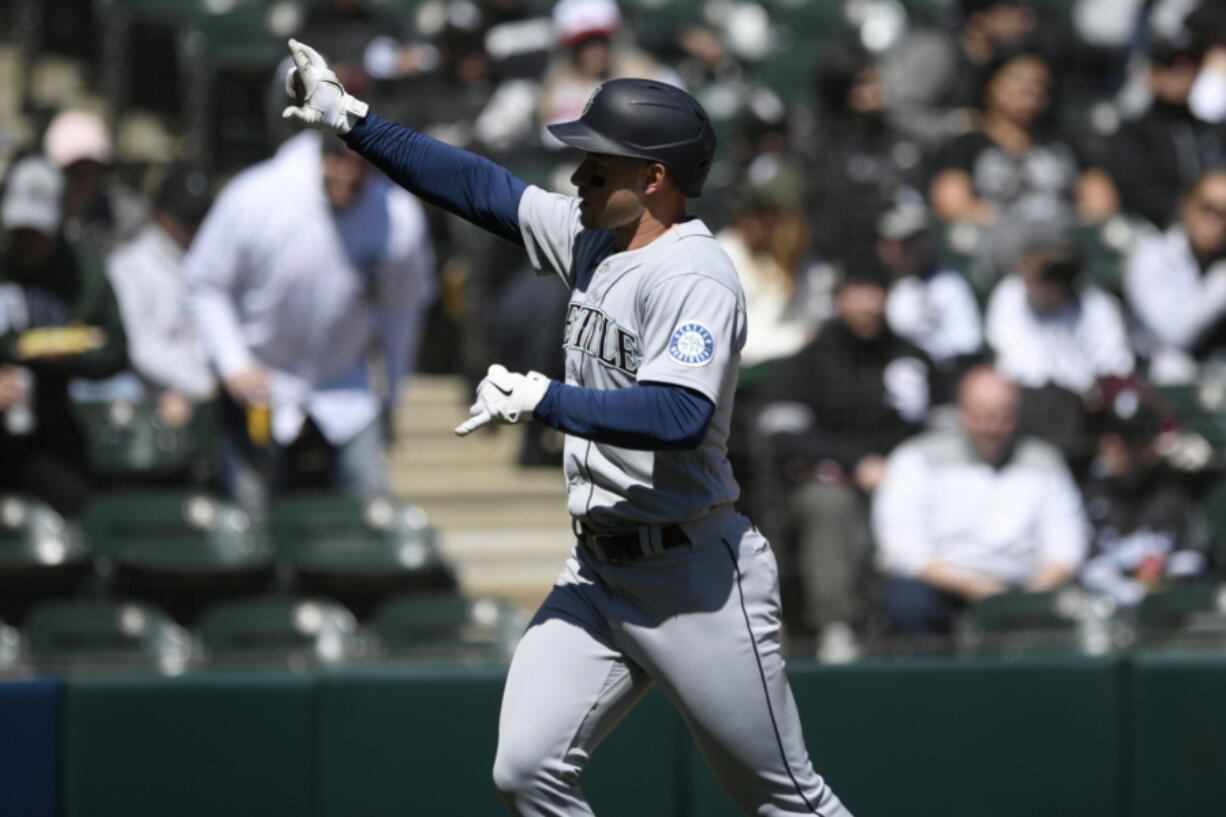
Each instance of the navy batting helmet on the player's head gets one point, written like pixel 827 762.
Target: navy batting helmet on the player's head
pixel 650 121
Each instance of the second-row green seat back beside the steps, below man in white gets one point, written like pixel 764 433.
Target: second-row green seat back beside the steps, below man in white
pixel 333 534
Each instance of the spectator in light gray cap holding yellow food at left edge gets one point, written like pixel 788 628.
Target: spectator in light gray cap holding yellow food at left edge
pixel 58 321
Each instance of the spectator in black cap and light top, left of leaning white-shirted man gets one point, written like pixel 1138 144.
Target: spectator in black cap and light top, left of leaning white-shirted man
pixel 148 278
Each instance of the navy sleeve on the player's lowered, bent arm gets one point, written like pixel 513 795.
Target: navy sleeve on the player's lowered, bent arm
pixel 649 418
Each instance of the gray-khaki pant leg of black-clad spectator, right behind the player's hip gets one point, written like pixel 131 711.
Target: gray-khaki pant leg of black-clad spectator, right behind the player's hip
pixel 828 522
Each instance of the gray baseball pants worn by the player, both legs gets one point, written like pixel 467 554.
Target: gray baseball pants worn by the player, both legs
pixel 701 621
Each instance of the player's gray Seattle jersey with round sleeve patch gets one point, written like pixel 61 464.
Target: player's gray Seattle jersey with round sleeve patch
pixel 671 312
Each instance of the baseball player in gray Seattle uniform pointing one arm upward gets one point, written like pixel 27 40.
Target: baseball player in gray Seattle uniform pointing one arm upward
pixel 668 583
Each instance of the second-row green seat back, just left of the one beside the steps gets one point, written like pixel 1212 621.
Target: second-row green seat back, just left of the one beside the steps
pixel 175 531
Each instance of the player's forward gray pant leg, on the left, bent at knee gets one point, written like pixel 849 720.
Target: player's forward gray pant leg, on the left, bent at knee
pixel 568 688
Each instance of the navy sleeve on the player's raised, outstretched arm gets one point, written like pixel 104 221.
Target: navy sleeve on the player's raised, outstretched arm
pixel 455 180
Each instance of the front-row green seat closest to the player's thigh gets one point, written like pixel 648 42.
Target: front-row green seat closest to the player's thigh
pixel 448 627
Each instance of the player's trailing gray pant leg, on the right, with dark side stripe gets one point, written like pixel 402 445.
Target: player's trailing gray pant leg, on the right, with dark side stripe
pixel 706 625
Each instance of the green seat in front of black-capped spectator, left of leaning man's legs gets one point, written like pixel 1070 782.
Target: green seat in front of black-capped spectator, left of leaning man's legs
pixel 127 440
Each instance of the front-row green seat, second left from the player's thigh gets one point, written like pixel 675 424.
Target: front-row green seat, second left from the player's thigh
pixel 283 630
